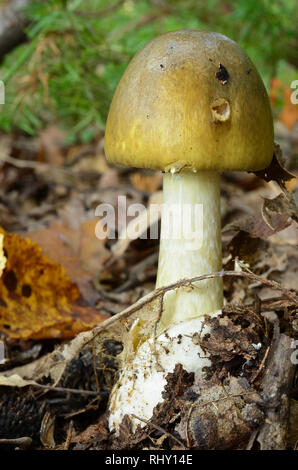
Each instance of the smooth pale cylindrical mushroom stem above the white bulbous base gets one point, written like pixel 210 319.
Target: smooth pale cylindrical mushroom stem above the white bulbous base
pixel 190 244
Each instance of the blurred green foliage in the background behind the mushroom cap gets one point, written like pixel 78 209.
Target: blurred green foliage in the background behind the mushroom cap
pixel 77 51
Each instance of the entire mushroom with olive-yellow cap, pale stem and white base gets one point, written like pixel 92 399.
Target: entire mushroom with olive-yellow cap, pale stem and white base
pixel 190 103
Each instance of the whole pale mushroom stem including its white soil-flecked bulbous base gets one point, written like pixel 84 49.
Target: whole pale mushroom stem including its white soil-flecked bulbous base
pixel 190 246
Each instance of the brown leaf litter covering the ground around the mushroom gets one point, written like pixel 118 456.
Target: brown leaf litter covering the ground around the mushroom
pixel 48 198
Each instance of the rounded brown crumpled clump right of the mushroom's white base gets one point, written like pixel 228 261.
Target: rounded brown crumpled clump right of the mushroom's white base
pixel 220 417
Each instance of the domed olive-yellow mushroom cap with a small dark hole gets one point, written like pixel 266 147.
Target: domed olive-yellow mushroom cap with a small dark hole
pixel 190 99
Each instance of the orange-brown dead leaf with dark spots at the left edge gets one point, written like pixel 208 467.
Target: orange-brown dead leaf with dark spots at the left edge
pixel 37 299
